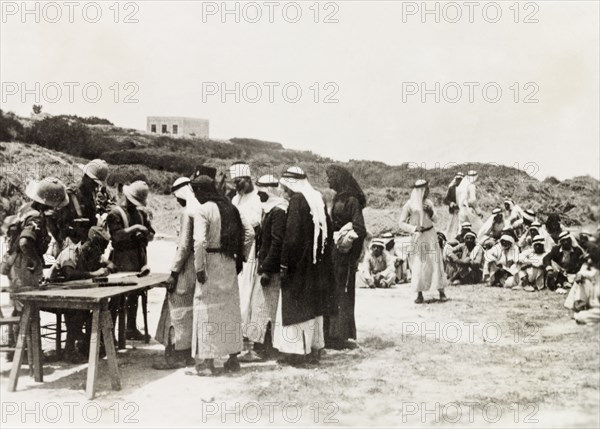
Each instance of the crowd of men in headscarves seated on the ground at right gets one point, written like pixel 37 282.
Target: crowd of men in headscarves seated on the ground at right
pixel 512 249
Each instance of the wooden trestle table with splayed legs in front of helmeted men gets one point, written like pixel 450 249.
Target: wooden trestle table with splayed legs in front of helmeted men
pixel 93 298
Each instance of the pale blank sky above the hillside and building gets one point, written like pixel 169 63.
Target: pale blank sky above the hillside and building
pixel 369 55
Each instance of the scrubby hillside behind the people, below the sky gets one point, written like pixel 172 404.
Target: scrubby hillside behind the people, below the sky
pixel 160 159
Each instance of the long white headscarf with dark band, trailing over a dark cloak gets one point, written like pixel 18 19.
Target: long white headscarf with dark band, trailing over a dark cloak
pixel 295 179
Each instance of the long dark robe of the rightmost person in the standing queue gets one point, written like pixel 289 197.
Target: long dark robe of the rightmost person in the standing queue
pixel 340 324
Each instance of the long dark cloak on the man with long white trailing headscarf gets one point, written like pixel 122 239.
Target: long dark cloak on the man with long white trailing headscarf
pixel 304 291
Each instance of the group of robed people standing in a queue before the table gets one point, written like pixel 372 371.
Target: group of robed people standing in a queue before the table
pixel 268 270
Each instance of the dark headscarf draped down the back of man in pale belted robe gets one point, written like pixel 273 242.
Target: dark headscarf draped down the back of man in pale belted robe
pixel 232 231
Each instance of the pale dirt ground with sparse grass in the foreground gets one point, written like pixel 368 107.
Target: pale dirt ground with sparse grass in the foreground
pixel 488 357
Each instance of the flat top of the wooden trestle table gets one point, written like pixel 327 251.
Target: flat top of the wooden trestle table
pixel 95 292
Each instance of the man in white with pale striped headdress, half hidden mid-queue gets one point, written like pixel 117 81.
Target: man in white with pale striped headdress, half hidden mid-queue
pixel 247 201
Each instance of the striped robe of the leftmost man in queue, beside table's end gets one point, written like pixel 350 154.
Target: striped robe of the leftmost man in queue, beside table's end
pixel 177 307
